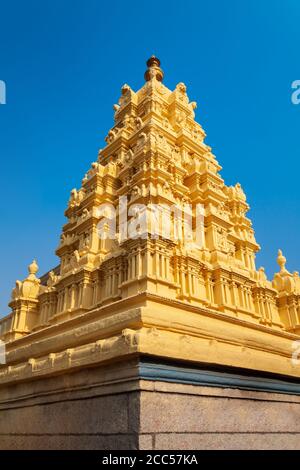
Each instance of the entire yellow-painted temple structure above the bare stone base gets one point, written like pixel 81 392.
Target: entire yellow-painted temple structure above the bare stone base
pixel 163 297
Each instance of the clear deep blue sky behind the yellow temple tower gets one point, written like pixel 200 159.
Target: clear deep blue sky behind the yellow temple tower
pixel 64 62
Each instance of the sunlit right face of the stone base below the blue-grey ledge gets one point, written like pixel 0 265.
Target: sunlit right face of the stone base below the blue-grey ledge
pixel 174 416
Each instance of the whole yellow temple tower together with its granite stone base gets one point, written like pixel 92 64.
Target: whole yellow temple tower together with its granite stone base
pixel 156 296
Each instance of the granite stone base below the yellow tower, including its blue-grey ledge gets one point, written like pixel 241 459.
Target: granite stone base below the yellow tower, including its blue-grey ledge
pixel 144 405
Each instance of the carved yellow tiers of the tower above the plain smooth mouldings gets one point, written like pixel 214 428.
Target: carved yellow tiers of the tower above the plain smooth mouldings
pixel 155 154
